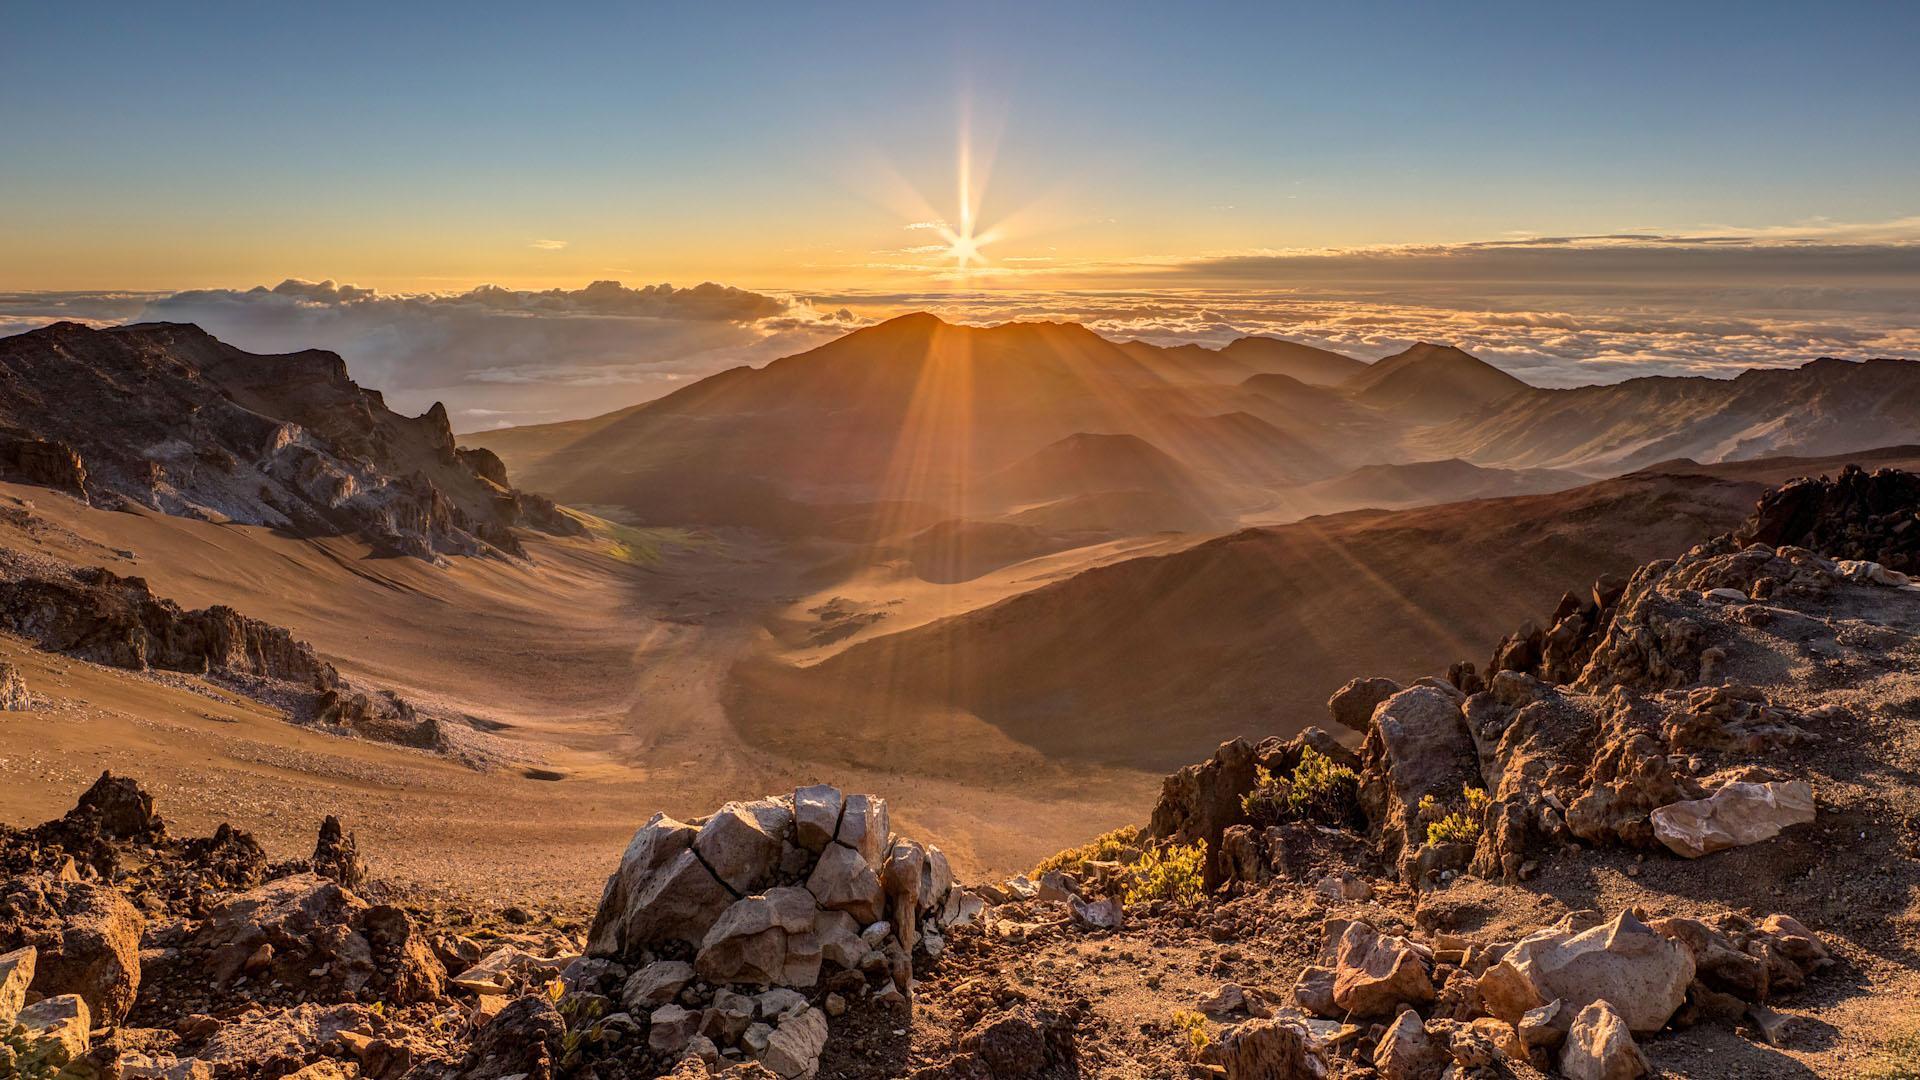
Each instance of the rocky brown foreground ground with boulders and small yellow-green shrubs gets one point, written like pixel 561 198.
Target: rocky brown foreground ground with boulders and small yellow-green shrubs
pixel 1668 831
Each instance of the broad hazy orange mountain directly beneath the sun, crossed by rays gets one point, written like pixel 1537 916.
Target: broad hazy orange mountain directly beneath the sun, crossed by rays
pixel 911 412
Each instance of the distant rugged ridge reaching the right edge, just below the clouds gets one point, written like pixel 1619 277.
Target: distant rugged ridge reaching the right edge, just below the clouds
pixel 1821 408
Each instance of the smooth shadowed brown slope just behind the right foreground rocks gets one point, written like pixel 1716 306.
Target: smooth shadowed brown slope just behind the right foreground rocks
pixel 1253 631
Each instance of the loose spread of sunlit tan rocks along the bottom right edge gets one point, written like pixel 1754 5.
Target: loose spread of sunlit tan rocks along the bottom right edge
pixel 1570 998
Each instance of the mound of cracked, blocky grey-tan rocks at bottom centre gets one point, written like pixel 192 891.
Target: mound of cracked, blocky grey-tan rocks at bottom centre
pixel 736 937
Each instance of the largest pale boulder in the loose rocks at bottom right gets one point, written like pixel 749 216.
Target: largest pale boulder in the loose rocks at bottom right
pixel 1621 962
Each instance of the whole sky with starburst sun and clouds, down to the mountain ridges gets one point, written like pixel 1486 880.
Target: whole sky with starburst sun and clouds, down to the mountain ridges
pixel 1182 172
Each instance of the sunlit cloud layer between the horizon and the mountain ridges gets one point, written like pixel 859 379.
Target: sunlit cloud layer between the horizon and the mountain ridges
pixel 1556 312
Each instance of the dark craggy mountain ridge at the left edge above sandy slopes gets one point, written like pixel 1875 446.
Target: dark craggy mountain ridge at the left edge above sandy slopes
pixel 168 418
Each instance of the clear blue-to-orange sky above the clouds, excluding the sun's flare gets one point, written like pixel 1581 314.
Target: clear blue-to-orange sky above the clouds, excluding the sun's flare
pixel 775 147
